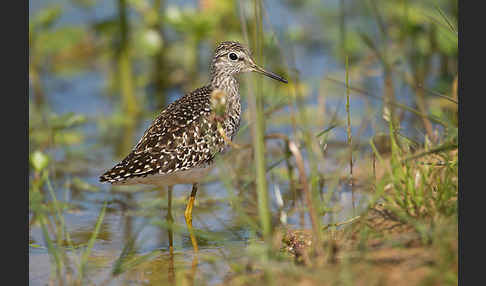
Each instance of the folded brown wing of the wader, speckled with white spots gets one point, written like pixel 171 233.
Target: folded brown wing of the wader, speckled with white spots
pixel 182 137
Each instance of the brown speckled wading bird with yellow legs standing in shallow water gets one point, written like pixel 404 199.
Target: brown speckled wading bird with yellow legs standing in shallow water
pixel 181 143
